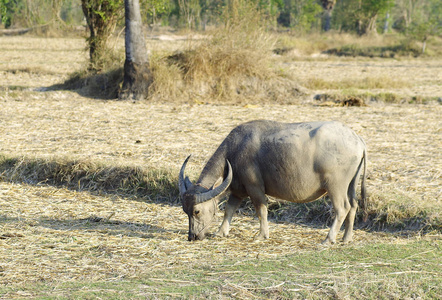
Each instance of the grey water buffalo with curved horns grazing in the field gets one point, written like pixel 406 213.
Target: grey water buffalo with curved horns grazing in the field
pixel 298 162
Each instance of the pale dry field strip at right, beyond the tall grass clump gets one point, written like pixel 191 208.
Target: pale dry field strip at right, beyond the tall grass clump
pixel 408 79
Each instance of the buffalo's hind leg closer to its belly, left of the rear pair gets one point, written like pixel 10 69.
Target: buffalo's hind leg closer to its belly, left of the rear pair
pixel 341 205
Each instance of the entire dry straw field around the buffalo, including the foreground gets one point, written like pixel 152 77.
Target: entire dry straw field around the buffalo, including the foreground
pixel 51 236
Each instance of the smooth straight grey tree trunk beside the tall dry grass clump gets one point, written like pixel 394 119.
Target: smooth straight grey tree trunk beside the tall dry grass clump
pixel 137 77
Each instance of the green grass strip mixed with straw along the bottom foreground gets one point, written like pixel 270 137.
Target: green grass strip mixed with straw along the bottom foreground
pixel 373 271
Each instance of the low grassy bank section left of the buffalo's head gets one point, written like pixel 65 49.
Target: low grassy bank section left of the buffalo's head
pixel 155 184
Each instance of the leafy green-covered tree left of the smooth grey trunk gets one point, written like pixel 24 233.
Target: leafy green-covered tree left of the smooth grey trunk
pixel 101 17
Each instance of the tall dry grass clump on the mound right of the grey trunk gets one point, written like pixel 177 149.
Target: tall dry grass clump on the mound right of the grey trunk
pixel 232 62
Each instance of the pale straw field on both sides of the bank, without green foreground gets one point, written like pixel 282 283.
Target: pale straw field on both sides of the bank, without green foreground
pixel 55 233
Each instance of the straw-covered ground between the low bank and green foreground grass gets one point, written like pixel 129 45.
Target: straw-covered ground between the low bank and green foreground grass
pixel 55 234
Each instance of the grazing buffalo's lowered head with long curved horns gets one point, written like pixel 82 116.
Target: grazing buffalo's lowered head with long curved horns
pixel 200 202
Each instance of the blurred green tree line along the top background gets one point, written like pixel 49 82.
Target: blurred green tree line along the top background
pixel 420 17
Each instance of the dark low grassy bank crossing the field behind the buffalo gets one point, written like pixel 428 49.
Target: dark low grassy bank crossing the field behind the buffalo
pixel 160 186
